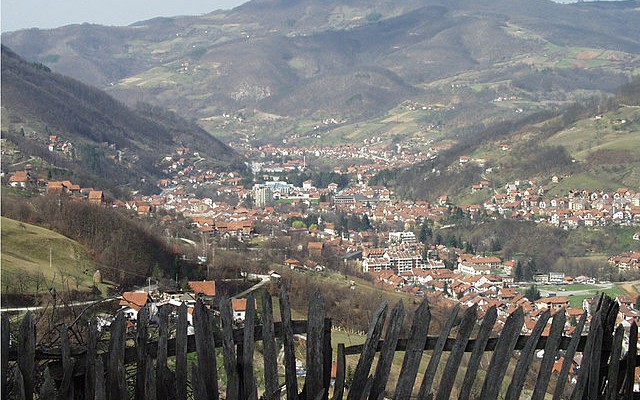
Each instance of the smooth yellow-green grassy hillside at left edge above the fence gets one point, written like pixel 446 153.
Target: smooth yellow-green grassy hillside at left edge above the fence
pixel 26 267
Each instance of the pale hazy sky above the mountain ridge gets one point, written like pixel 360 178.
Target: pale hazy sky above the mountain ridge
pixel 24 14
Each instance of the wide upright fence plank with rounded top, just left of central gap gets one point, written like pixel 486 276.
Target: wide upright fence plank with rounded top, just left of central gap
pixel 315 339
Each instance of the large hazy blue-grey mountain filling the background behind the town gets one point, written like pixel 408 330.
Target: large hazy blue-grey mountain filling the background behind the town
pixel 353 59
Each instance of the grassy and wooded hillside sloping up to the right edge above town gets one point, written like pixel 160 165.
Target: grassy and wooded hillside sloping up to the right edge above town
pixel 593 145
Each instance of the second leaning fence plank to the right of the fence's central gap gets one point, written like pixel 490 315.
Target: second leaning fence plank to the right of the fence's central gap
pixel 388 350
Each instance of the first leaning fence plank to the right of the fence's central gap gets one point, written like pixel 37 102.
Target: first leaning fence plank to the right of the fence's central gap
pixel 368 353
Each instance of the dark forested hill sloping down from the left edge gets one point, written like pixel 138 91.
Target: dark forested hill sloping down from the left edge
pixel 107 143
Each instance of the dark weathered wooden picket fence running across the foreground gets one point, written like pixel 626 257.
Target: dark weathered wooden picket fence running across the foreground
pixel 82 371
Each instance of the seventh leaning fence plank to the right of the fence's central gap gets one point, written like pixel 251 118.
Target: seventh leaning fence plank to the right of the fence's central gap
pixel 502 355
